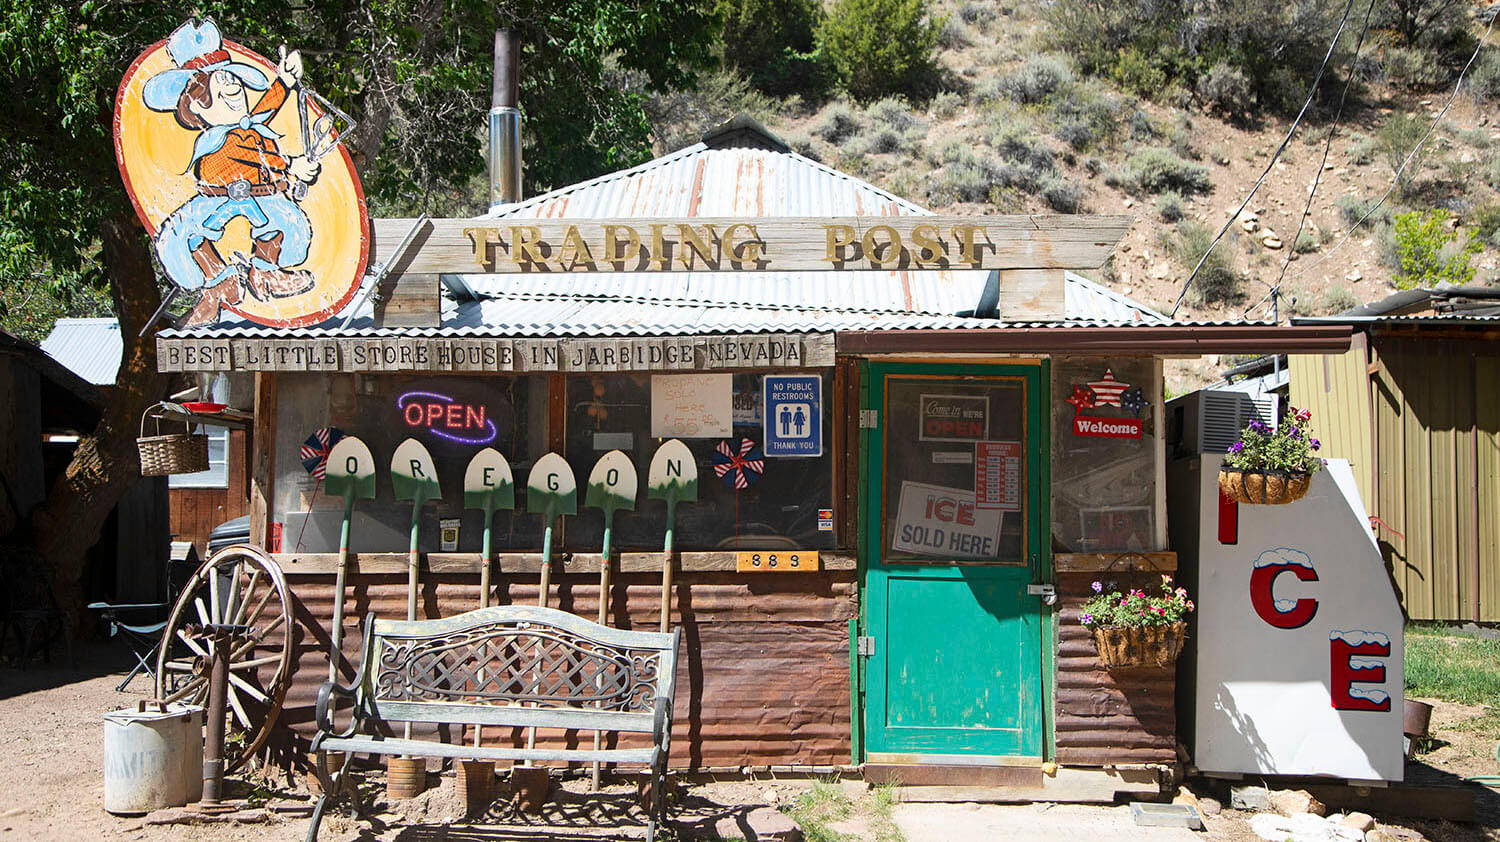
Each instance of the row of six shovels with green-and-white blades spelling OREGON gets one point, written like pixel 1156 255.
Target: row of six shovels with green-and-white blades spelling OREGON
pixel 490 487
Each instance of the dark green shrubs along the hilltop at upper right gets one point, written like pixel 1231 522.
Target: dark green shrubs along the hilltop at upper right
pixel 1262 50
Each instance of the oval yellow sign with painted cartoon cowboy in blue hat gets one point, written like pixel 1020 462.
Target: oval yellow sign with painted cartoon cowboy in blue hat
pixel 241 211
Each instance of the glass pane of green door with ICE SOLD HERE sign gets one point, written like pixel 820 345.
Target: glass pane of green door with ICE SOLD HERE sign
pixel 956 471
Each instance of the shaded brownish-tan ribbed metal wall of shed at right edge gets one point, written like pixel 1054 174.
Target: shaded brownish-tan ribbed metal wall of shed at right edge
pixel 1438 432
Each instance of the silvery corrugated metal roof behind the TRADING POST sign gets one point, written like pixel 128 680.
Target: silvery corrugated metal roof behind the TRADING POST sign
pixel 719 181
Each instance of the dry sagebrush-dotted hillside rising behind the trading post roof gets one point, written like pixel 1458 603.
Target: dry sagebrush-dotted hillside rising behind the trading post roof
pixel 1015 122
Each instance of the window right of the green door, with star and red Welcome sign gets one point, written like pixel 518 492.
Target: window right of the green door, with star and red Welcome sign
pixel 1105 454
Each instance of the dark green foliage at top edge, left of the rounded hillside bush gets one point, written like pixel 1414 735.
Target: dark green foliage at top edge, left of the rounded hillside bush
pixel 773 43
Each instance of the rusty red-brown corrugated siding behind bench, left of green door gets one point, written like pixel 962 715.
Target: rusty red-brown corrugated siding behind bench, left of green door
pixel 763 676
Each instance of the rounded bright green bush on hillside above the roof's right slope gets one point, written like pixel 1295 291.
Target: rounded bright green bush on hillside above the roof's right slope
pixel 880 47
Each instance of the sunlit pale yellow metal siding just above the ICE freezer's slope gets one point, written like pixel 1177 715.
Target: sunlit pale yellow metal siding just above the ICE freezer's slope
pixel 1336 389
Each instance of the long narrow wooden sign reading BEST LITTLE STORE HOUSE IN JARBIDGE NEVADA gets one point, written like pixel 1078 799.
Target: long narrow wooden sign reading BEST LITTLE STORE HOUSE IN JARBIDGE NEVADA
pixel 473 355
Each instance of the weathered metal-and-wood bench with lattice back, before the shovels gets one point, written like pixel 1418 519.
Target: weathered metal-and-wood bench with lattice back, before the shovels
pixel 511 667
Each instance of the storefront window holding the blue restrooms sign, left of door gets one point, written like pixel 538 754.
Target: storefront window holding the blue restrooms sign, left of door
pixel 767 504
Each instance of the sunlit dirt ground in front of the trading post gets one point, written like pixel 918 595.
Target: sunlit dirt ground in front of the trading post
pixel 52 786
